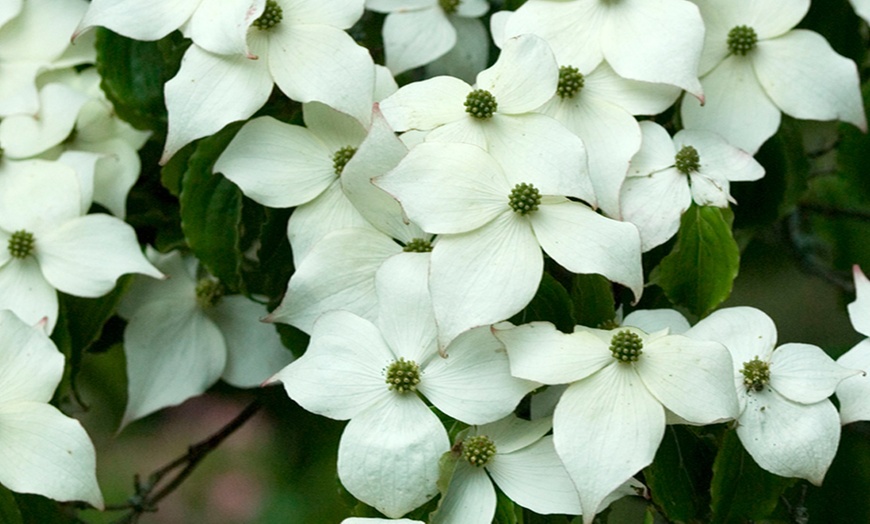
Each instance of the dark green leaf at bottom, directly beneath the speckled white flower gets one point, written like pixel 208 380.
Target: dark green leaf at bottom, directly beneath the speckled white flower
pixel 740 489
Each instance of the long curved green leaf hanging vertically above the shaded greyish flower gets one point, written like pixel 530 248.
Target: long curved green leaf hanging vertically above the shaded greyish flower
pixel 211 210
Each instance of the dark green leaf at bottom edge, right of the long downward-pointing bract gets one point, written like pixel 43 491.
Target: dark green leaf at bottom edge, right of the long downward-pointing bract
pixel 679 477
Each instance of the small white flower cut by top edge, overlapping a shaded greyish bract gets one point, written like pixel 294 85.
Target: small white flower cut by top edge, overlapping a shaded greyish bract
pixel 416 32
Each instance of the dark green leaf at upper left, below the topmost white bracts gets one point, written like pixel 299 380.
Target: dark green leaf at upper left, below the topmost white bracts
pixel 133 74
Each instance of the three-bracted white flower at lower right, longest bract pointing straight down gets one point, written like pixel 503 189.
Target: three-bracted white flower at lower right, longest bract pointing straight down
pixel 610 420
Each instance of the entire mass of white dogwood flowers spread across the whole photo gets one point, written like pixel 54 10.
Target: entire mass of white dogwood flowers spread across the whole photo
pixel 428 213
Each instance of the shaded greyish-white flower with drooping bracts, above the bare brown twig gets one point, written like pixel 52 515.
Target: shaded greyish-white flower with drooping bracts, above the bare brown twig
pixel 183 334
